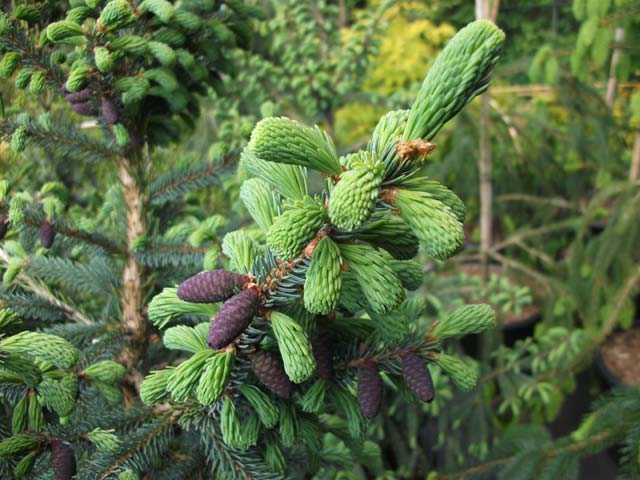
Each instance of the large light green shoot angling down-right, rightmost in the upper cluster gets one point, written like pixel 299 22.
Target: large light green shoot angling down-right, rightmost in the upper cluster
pixel 436 226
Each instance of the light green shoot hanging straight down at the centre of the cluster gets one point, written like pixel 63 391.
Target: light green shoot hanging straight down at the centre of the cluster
pixel 323 279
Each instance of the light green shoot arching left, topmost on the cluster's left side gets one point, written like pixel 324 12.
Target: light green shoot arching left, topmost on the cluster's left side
pixel 282 140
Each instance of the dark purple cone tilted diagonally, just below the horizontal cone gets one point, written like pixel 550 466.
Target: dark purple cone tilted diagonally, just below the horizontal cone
pixel 234 316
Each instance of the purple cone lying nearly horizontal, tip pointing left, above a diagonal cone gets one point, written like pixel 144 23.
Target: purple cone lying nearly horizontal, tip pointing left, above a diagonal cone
pixel 210 287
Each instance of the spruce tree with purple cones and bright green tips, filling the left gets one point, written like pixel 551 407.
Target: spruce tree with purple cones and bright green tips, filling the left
pixel 272 362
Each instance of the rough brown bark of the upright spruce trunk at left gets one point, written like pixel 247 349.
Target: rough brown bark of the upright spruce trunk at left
pixel 134 321
